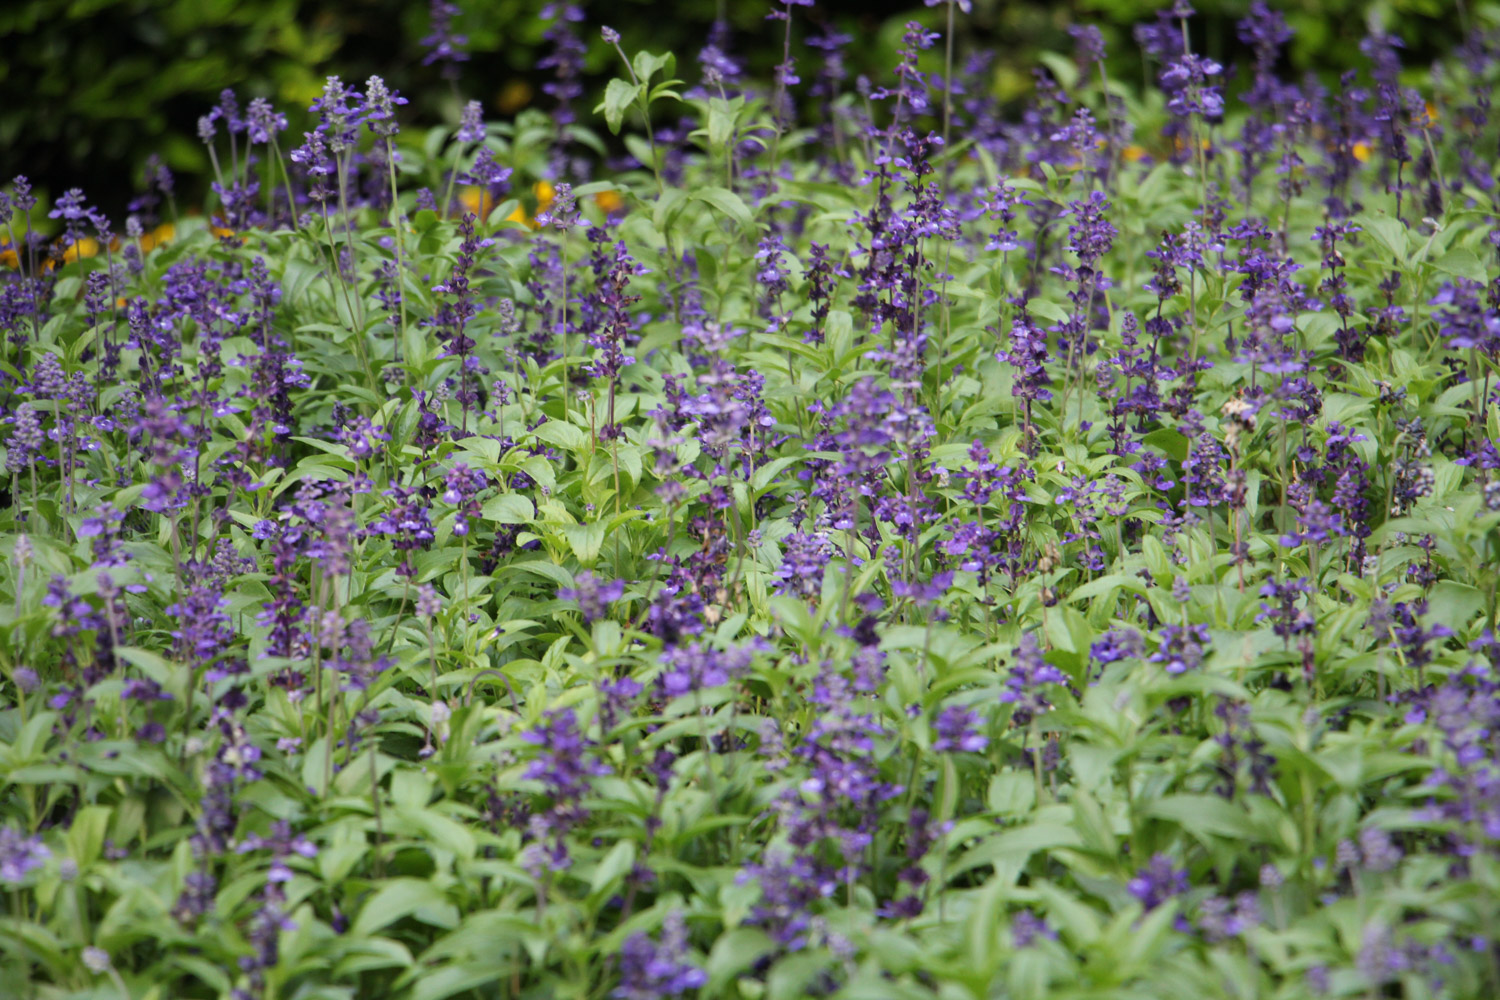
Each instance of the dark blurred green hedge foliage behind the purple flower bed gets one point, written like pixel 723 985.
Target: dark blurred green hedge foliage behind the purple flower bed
pixel 91 88
